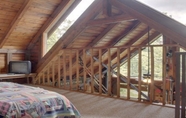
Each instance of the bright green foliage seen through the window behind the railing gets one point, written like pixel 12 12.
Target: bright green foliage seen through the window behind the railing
pixel 157 62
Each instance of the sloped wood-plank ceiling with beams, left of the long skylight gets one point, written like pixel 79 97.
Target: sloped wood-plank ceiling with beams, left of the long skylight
pixel 23 21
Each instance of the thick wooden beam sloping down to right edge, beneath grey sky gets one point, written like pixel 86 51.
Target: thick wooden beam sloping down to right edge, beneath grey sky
pixel 162 23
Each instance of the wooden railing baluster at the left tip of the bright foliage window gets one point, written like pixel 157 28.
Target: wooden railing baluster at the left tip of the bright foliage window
pixel 118 72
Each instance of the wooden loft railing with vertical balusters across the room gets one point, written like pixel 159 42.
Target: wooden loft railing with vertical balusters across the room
pixel 81 70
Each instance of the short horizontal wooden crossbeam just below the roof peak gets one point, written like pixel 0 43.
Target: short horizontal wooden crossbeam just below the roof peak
pixel 109 20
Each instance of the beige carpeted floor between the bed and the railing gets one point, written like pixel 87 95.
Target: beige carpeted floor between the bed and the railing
pixel 92 106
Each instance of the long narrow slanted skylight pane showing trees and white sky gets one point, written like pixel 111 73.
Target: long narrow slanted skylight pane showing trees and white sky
pixel 69 21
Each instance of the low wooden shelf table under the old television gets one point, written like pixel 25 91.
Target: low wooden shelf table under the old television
pixel 14 76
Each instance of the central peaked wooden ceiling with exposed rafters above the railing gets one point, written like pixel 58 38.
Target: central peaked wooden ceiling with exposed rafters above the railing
pixel 102 25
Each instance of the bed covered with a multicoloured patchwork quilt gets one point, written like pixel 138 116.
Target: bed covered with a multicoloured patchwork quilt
pixel 22 101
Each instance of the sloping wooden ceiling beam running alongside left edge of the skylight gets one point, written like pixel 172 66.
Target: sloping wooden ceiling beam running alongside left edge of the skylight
pixel 62 7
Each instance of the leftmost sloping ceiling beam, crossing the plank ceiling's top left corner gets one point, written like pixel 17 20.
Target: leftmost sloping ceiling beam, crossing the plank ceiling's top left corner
pixel 15 21
